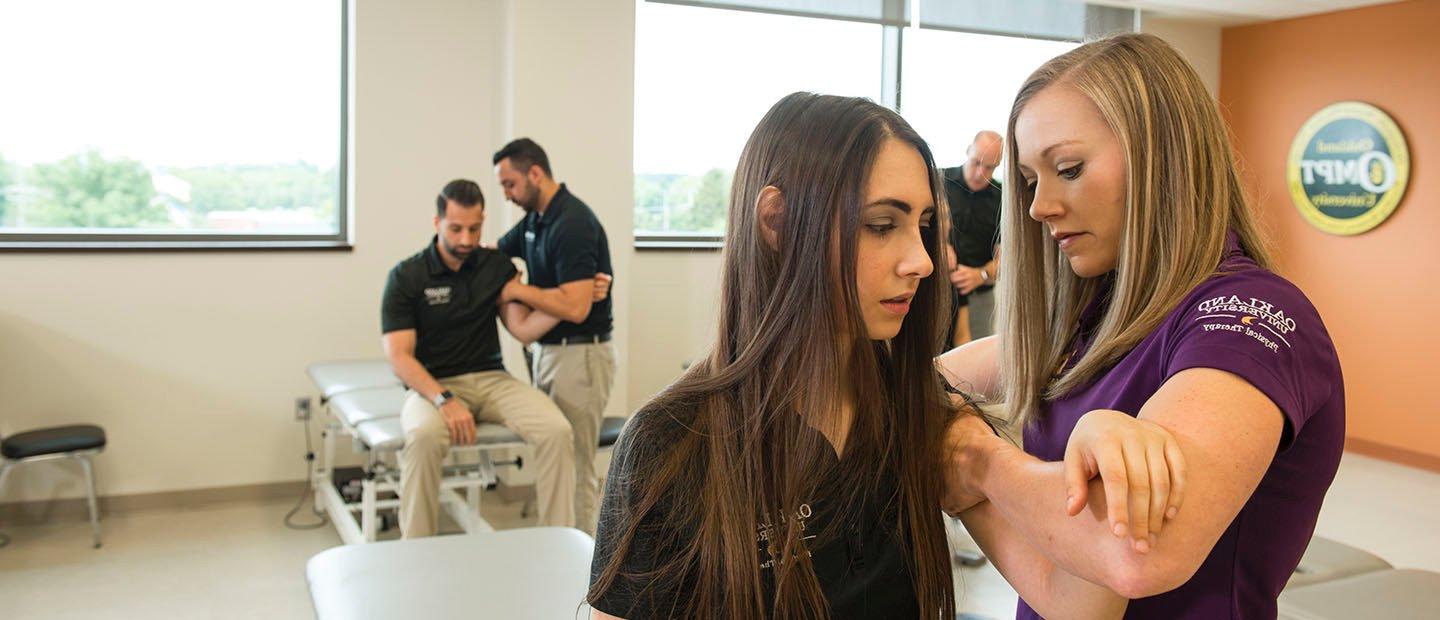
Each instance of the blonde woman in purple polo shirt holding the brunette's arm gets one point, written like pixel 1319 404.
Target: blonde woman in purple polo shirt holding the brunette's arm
pixel 1138 287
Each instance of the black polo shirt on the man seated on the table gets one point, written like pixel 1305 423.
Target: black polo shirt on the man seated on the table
pixel 453 313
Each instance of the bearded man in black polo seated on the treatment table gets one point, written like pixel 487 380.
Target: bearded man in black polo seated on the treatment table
pixel 438 319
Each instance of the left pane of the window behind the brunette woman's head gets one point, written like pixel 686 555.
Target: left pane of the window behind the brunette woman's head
pixel 703 80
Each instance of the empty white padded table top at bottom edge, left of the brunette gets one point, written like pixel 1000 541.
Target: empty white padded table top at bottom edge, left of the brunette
pixel 532 573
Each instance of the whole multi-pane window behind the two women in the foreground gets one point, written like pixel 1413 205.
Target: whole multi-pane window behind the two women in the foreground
pixel 706 71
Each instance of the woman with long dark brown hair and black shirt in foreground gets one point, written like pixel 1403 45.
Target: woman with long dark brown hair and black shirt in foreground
pixel 796 471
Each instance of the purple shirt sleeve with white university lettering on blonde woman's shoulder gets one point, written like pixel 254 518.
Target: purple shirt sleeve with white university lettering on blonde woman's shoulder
pixel 1262 329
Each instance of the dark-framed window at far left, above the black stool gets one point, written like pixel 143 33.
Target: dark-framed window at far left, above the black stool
pixel 172 124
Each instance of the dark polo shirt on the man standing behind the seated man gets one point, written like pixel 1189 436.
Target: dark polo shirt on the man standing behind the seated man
pixel 565 245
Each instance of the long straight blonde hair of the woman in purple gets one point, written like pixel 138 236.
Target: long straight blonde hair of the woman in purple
pixel 1183 196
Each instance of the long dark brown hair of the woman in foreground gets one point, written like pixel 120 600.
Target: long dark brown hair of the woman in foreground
pixel 788 316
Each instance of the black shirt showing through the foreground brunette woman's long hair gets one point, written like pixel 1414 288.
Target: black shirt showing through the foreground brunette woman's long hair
pixel 862 567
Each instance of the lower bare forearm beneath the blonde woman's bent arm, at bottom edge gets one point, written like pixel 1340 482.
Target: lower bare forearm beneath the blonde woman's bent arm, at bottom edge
pixel 1048 589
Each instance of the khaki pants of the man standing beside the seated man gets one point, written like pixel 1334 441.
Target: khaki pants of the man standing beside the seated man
pixel 578 378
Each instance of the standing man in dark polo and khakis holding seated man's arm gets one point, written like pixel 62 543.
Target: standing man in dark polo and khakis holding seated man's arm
pixel 565 248
